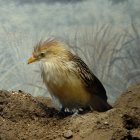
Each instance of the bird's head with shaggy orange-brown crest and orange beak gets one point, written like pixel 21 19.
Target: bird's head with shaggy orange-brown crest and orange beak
pixel 48 50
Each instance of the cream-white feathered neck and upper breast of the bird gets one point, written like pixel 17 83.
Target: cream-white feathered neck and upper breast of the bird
pixel 55 71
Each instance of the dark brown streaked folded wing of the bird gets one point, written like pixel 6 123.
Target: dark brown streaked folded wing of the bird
pixel 91 82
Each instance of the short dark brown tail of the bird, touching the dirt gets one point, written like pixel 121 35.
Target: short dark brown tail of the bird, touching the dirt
pixel 99 104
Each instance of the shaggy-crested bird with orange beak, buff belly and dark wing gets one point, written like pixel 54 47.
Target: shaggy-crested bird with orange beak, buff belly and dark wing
pixel 68 78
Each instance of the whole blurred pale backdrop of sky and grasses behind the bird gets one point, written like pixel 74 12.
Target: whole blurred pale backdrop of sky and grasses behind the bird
pixel 104 33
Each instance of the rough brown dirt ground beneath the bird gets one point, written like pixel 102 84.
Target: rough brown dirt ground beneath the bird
pixel 24 117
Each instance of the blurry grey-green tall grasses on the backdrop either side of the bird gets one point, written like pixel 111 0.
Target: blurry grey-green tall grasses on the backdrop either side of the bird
pixel 113 56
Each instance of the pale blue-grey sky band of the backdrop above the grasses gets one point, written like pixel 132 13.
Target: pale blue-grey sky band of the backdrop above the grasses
pixel 58 15
